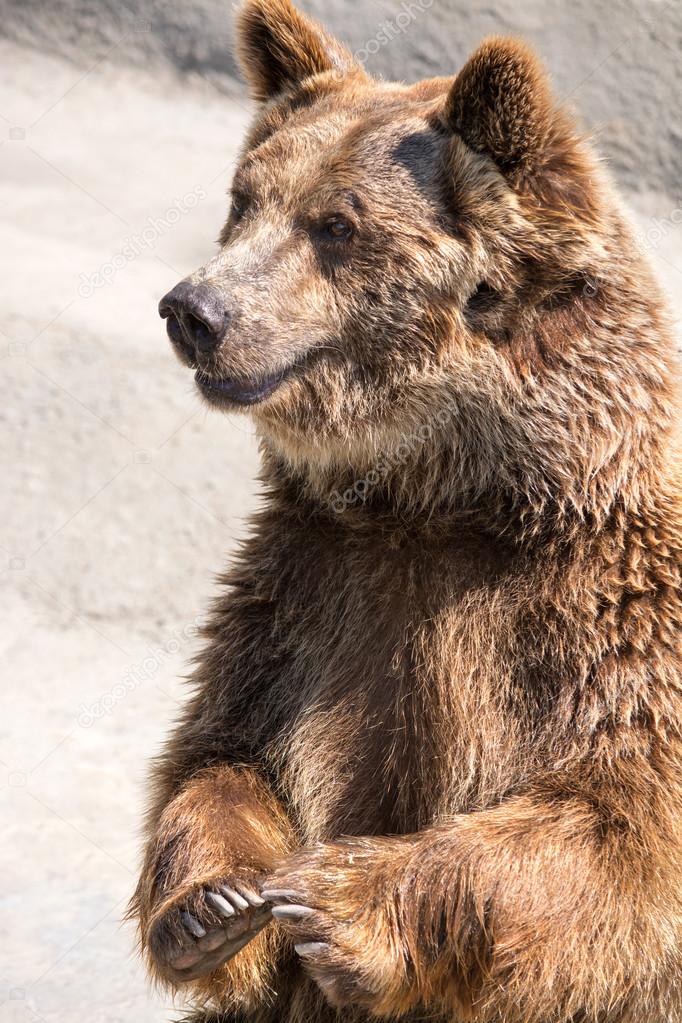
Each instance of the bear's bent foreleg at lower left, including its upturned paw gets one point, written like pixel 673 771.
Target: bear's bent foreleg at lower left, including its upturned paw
pixel 198 902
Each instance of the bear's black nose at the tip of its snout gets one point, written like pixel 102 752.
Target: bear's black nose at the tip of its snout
pixel 198 318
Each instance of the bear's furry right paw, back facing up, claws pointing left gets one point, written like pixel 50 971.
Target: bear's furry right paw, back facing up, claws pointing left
pixel 330 901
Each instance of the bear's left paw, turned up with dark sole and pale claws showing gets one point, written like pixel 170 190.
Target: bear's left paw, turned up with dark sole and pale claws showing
pixel 203 930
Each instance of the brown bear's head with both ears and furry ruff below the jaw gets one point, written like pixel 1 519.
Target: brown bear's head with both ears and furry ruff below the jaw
pixel 440 263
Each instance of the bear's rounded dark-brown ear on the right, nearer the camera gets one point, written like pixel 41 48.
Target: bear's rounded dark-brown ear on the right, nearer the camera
pixel 502 105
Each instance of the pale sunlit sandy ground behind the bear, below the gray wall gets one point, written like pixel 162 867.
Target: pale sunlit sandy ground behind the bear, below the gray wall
pixel 121 498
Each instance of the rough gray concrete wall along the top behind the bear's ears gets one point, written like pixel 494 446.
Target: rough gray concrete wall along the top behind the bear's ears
pixel 619 62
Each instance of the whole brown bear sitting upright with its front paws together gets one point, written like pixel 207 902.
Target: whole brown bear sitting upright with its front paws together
pixel 432 769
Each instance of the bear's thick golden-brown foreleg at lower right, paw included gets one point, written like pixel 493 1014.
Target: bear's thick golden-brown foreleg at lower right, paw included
pixel 561 904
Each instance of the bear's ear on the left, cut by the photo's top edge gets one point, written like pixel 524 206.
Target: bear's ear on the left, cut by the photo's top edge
pixel 280 48
